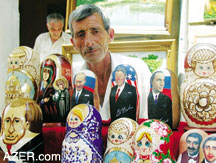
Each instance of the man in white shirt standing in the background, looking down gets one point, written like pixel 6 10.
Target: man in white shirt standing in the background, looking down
pixel 51 42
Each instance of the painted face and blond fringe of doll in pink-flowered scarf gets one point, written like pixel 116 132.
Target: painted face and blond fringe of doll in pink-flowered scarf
pixel 144 145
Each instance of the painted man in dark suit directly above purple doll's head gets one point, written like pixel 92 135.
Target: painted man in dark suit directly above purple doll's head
pixel 80 94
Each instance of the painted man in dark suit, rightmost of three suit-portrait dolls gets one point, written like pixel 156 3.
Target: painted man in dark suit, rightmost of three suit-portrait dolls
pixel 159 104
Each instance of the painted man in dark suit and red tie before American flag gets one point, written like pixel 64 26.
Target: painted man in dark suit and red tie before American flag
pixel 123 97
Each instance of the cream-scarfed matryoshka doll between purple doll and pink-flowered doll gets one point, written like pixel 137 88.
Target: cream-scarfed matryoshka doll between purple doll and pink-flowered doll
pixel 120 141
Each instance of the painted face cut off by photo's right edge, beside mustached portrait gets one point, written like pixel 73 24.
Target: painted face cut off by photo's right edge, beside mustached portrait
pixel 210 150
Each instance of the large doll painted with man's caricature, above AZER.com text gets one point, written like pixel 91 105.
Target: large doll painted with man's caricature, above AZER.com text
pixel 21 131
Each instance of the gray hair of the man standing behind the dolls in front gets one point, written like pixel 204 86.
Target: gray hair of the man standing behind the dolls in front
pixel 84 11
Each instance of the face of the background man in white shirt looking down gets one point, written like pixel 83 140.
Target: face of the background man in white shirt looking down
pixel 55 29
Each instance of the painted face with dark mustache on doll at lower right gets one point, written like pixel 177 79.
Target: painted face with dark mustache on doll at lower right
pixel 192 145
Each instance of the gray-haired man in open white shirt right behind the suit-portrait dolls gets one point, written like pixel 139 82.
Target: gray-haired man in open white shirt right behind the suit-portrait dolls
pixel 91 35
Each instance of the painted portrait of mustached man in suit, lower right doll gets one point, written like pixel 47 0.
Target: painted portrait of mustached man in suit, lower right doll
pixel 191 155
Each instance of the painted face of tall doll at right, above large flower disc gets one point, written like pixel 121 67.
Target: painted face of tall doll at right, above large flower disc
pixel 204 69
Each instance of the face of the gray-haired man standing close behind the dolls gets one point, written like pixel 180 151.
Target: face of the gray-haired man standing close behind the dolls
pixel 90 38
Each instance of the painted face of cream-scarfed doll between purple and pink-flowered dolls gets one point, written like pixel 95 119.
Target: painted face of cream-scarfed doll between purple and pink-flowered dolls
pixel 117 137
